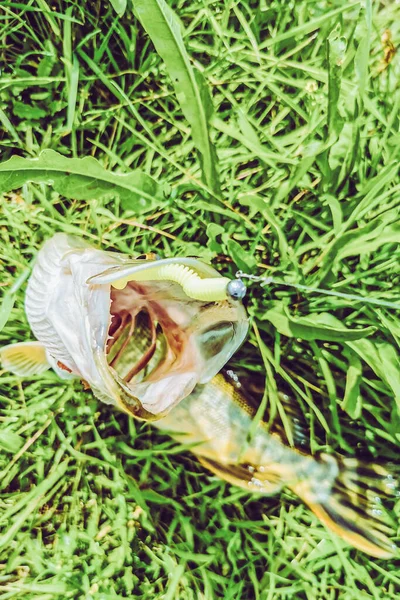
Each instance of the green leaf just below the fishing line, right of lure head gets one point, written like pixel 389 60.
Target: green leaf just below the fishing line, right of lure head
pixel 313 327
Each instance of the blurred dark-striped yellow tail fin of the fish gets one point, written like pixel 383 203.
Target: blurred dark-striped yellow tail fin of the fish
pixel 353 506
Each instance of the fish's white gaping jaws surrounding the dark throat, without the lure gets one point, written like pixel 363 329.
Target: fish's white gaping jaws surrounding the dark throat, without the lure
pixel 70 307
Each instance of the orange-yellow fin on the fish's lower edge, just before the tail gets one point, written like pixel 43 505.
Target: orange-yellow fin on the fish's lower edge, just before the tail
pixel 246 476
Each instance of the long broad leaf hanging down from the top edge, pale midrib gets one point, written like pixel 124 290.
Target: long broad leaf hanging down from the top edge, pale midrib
pixel 193 95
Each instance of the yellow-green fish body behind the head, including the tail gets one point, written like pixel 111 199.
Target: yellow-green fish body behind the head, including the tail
pixel 344 493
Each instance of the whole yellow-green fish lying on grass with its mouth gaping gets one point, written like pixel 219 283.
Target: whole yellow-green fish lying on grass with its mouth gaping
pixel 214 415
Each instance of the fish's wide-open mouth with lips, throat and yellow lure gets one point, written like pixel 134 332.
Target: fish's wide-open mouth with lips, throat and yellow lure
pixel 161 340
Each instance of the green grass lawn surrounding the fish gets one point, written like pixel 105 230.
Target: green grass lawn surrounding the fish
pixel 306 129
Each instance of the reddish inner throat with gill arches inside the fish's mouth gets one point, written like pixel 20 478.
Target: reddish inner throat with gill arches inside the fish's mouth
pixel 145 342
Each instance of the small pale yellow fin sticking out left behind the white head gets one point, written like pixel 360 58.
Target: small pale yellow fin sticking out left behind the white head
pixel 24 358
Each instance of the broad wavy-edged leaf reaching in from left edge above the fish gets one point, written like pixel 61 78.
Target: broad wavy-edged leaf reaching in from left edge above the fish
pixel 82 179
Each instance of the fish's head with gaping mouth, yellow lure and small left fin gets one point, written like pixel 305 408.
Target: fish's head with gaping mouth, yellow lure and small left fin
pixel 83 303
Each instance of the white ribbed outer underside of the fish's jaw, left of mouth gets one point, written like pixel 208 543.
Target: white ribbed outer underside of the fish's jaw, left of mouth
pixel 66 315
